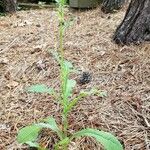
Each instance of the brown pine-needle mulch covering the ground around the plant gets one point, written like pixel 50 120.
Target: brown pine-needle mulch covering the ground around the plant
pixel 123 72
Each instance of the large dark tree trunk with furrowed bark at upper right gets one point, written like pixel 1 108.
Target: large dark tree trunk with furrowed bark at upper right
pixel 135 27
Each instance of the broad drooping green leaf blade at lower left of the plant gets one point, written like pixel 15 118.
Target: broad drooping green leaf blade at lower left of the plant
pixel 28 133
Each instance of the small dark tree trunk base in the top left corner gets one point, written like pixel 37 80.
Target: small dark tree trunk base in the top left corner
pixel 9 6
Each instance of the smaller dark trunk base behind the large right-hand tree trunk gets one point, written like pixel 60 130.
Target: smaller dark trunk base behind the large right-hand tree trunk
pixel 109 6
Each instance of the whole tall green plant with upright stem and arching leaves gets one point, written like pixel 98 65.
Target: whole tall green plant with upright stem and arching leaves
pixel 29 134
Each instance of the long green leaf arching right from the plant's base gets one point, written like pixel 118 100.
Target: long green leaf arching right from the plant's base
pixel 109 141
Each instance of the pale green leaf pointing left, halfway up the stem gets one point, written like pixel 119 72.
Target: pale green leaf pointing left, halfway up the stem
pixel 40 88
